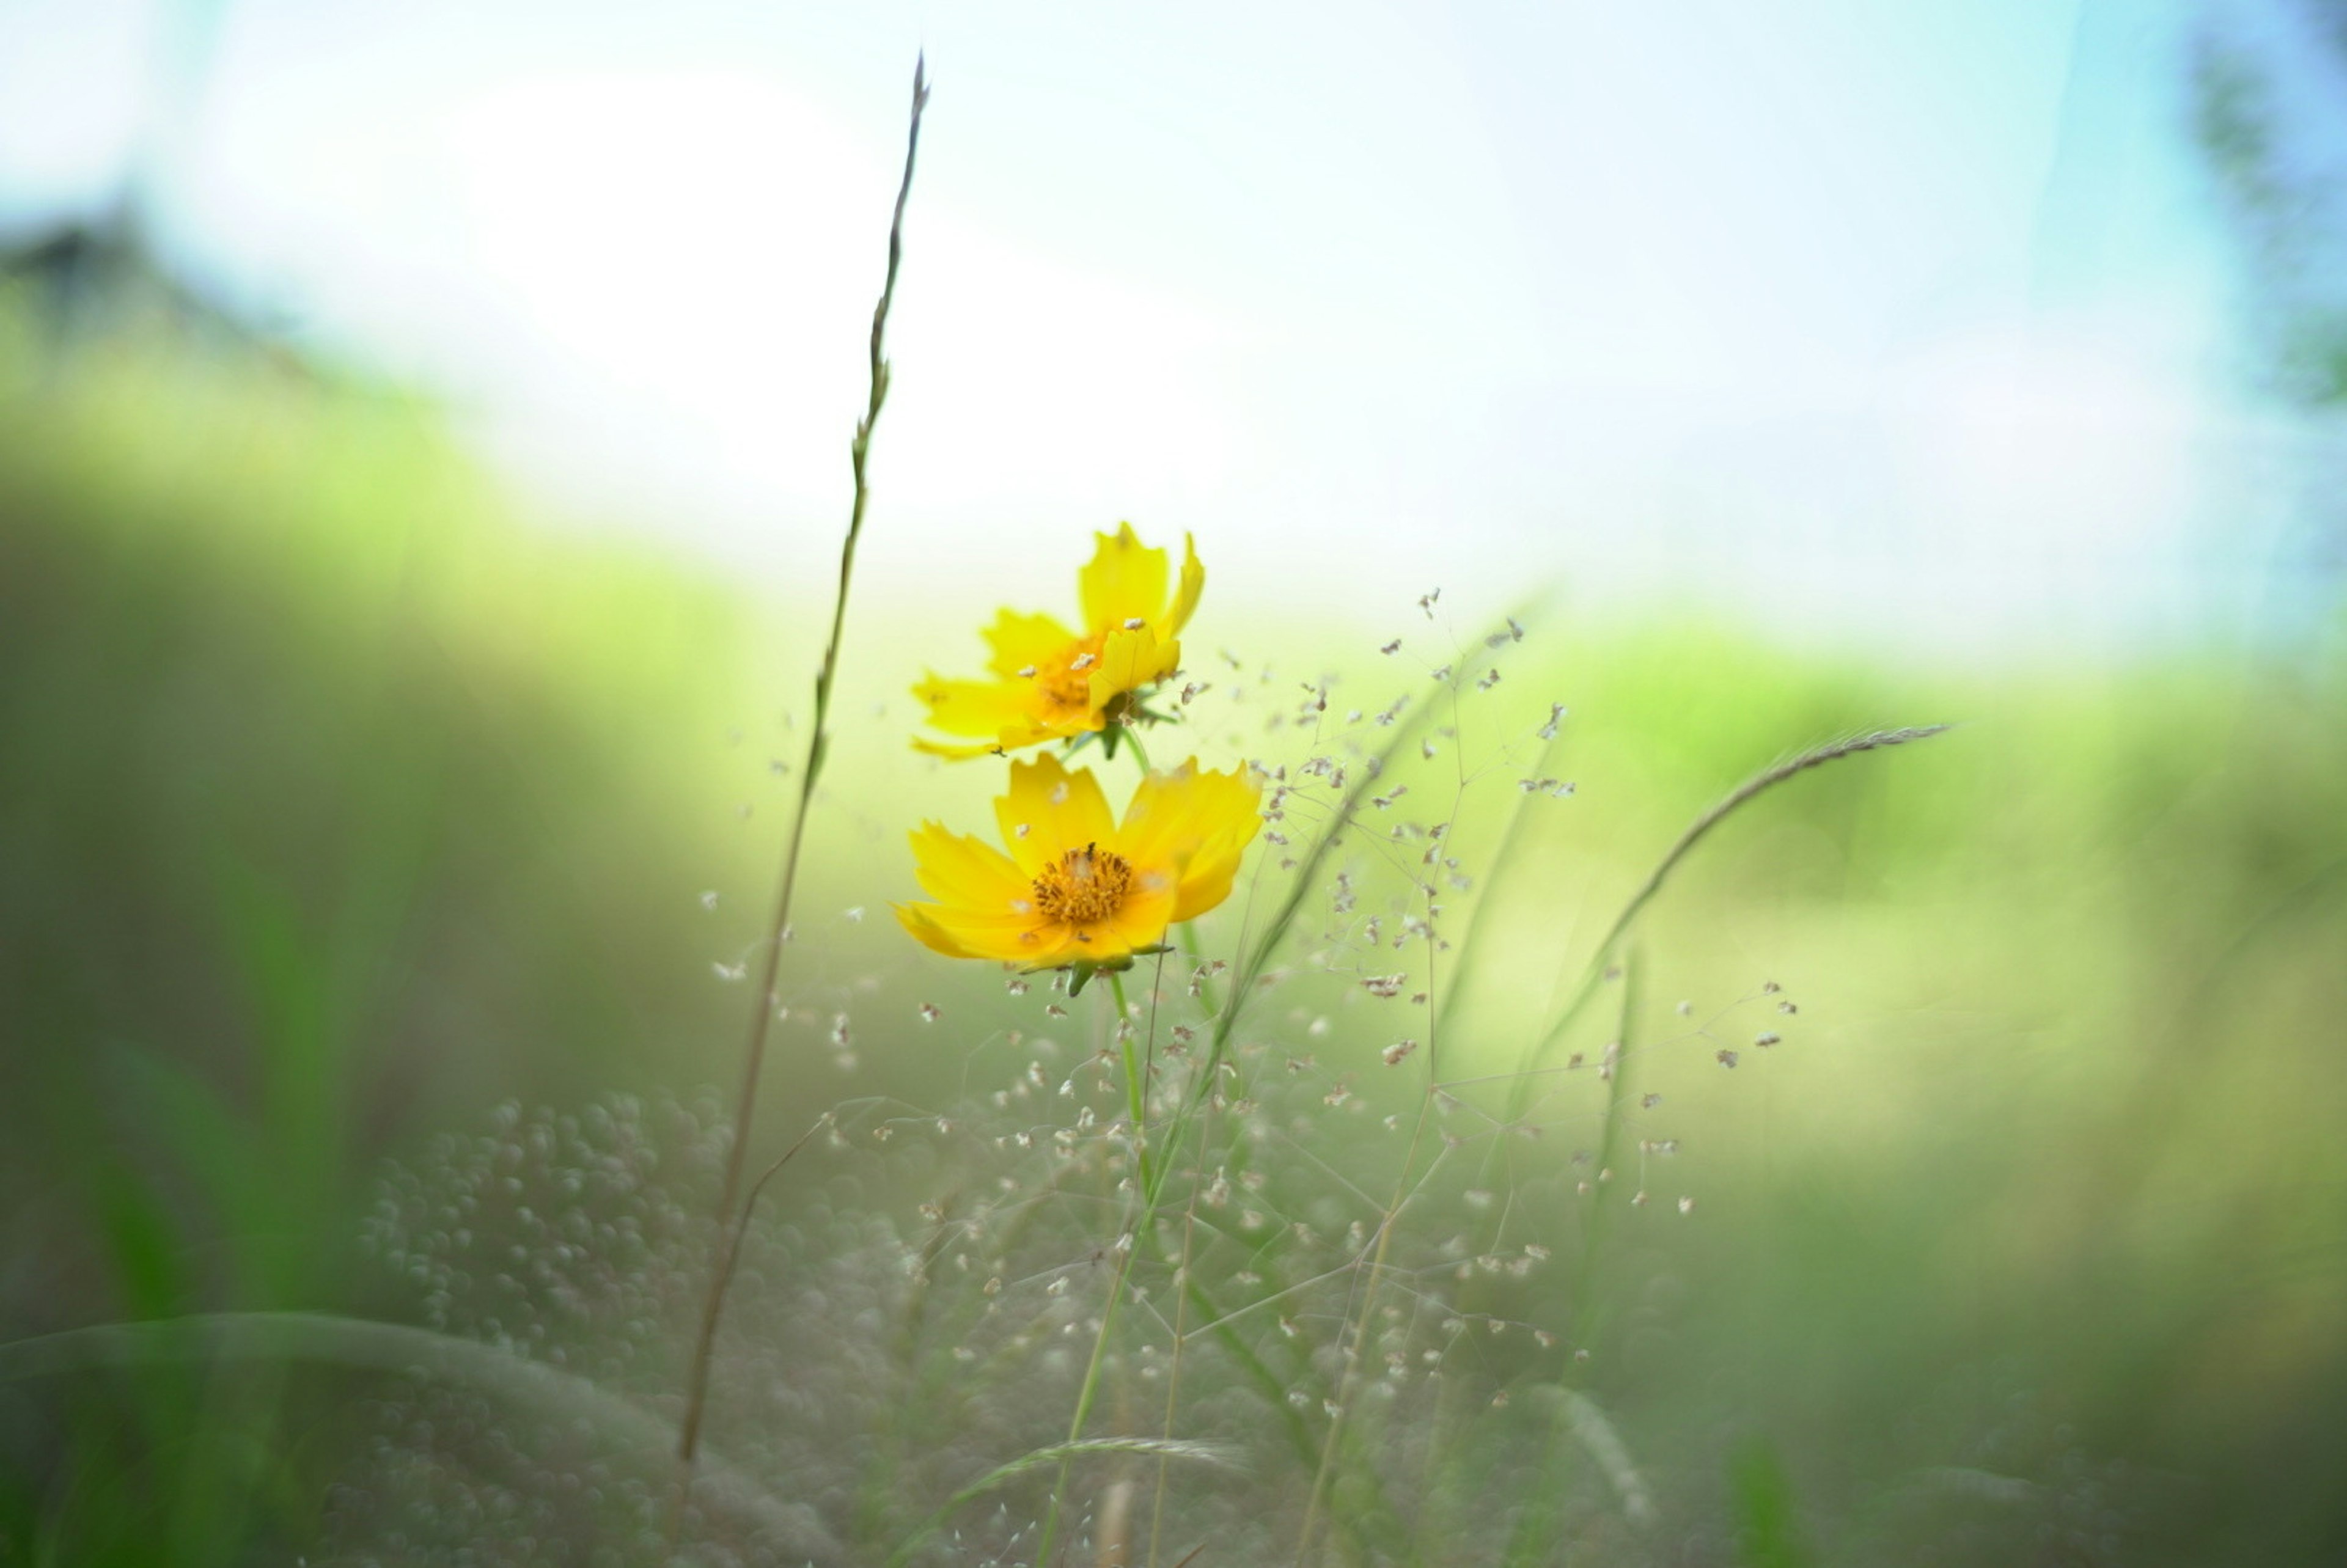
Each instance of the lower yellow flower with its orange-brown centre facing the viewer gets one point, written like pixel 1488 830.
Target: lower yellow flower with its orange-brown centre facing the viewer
pixel 1076 884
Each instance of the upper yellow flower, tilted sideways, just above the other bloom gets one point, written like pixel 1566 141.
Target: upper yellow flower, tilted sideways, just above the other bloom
pixel 1050 682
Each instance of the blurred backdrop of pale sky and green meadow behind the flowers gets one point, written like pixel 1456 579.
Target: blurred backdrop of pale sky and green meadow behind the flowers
pixel 381 849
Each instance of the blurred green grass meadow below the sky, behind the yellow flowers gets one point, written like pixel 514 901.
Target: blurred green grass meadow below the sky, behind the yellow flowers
pixel 339 806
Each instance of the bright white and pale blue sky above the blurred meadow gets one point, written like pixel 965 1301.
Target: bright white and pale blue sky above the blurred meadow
pixel 1891 320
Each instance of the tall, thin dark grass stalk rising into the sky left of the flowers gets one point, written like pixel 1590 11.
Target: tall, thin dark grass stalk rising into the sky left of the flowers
pixel 731 1210
